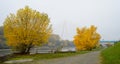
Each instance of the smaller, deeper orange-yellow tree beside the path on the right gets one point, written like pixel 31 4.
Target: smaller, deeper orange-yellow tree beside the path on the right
pixel 86 38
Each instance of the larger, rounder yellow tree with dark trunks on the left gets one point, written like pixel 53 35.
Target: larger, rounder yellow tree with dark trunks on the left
pixel 26 28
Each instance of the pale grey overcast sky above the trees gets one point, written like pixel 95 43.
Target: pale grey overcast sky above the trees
pixel 66 15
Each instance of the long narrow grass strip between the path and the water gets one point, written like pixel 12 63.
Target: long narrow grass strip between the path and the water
pixel 36 57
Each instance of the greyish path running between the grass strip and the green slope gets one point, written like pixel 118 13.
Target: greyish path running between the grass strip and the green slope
pixel 88 58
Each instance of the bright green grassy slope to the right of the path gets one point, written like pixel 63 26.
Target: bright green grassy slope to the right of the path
pixel 111 55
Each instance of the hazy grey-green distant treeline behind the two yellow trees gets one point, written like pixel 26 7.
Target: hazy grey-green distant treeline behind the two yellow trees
pixel 54 41
